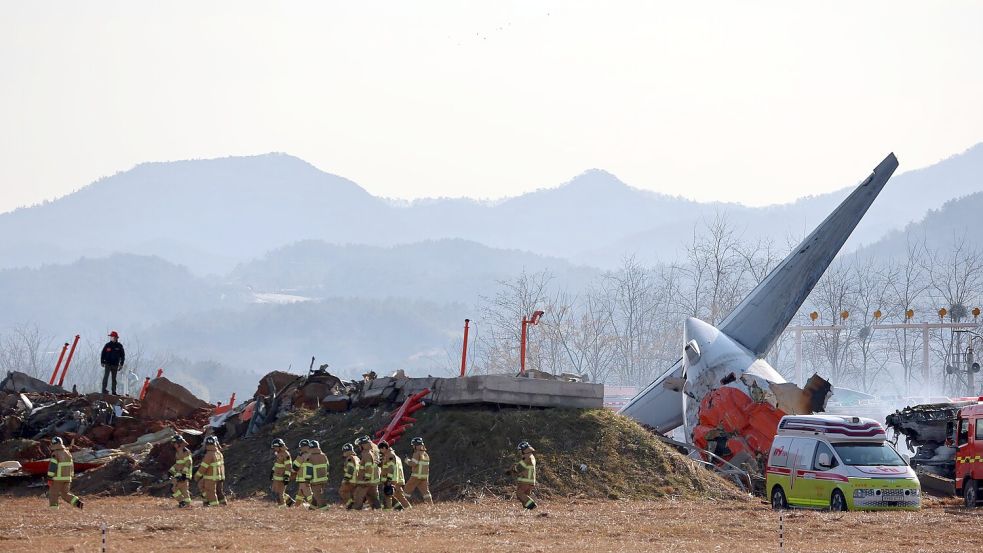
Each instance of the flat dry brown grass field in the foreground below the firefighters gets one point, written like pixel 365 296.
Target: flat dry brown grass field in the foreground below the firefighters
pixel 144 524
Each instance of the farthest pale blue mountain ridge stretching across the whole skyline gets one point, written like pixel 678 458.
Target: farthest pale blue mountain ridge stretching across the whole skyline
pixel 211 215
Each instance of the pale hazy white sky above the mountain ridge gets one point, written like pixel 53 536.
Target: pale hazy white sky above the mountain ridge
pixel 710 100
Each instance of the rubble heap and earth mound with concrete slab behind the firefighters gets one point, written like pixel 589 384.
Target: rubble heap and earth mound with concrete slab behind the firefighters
pixel 122 445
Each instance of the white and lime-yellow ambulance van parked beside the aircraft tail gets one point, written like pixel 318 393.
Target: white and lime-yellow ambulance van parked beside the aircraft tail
pixel 838 463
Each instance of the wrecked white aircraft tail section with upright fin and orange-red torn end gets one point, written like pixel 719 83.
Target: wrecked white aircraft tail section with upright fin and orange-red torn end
pixel 727 398
